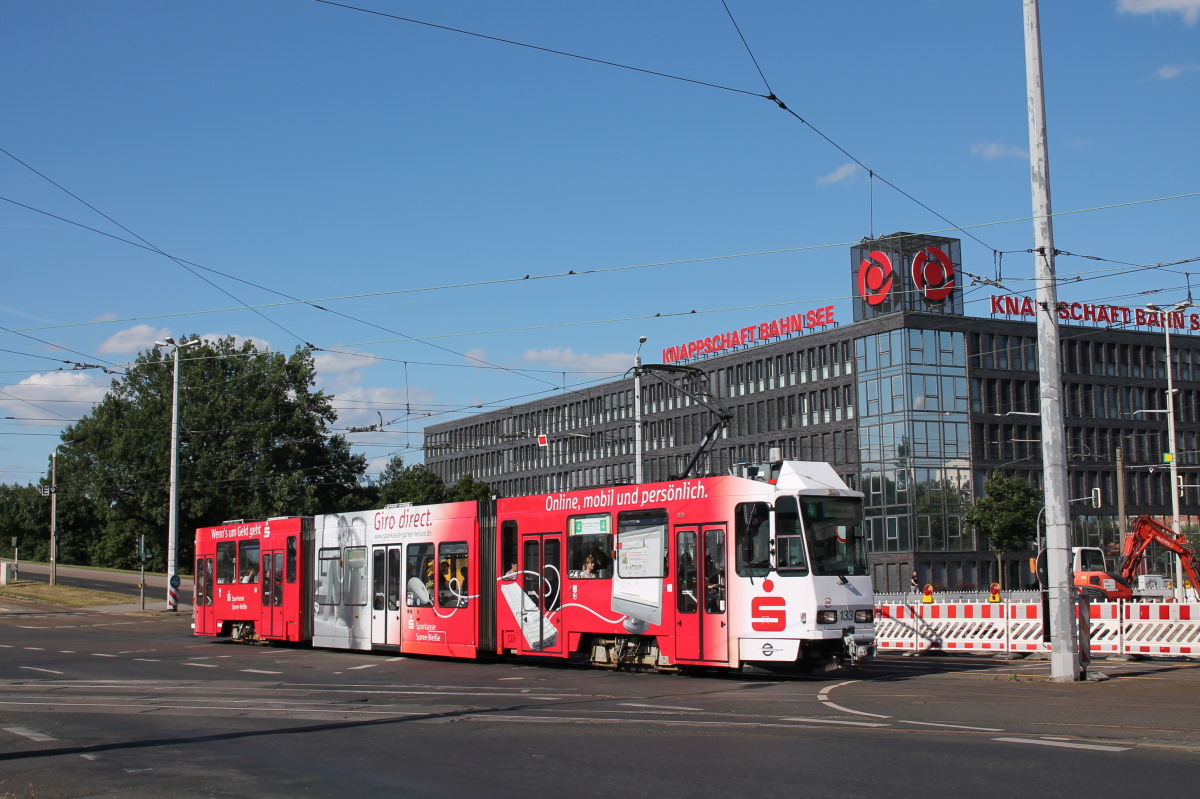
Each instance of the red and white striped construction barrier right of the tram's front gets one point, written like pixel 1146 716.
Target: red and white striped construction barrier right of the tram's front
pixel 1117 628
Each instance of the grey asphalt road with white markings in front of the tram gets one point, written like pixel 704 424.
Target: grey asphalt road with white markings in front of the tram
pixel 99 704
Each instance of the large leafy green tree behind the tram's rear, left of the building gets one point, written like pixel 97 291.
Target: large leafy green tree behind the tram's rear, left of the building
pixel 255 443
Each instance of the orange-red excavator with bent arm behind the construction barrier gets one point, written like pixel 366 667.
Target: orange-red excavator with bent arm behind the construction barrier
pixel 1099 584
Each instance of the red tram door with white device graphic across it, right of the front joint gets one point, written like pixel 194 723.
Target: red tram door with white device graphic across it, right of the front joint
pixel 536 599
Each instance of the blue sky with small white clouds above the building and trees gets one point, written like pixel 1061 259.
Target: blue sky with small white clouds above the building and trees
pixel 404 176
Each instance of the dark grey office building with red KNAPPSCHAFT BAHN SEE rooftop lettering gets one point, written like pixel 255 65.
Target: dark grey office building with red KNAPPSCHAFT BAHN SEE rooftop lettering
pixel 914 404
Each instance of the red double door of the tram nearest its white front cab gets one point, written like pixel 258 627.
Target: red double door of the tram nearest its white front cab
pixel 701 606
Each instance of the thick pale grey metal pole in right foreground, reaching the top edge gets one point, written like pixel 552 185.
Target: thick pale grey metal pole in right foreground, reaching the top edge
pixel 1065 663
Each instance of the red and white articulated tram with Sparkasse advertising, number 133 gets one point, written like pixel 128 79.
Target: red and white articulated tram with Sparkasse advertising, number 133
pixel 728 573
